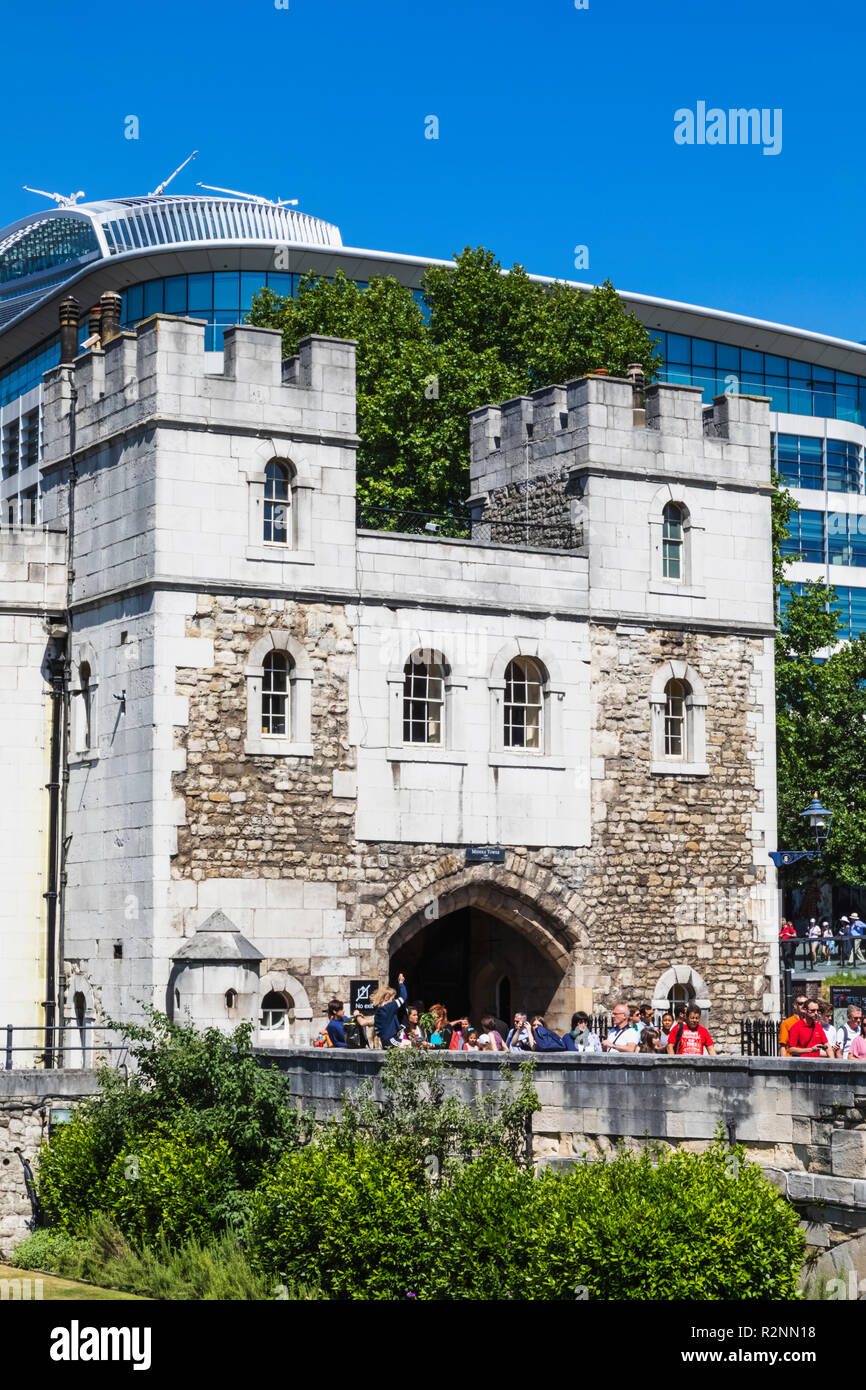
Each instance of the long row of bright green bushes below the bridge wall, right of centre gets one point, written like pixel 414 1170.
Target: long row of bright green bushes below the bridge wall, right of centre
pixel 657 1227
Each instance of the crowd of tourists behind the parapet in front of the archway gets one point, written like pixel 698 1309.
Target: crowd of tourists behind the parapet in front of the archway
pixel 395 1022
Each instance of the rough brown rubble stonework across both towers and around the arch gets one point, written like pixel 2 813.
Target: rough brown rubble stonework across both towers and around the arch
pixel 621 914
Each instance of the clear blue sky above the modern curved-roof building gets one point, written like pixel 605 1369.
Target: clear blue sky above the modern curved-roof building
pixel 555 130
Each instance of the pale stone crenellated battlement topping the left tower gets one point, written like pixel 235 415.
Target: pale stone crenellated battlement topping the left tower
pixel 161 373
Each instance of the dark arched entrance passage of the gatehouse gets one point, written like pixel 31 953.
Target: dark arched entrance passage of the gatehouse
pixel 475 965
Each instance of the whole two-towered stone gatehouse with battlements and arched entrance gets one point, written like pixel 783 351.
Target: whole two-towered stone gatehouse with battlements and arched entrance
pixel 288 736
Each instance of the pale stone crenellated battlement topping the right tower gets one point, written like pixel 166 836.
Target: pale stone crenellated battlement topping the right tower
pixel 600 422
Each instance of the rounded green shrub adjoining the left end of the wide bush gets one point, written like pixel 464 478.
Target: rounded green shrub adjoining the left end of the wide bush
pixel 352 1224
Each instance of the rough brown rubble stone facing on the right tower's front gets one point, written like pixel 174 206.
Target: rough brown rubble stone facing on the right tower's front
pixel 672 849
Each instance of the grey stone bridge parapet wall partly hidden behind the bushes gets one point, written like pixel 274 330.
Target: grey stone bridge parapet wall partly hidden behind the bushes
pixel 804 1122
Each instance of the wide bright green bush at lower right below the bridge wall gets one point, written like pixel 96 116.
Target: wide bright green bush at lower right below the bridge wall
pixel 657 1227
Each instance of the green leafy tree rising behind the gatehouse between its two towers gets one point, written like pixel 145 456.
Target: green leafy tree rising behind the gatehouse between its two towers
pixel 482 338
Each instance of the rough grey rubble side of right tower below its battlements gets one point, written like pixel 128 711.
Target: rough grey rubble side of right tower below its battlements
pixel 530 514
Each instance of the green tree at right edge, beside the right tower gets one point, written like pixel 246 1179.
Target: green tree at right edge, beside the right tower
pixel 821 718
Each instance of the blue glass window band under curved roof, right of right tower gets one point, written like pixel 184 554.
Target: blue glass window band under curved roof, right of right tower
pixel 796 387
